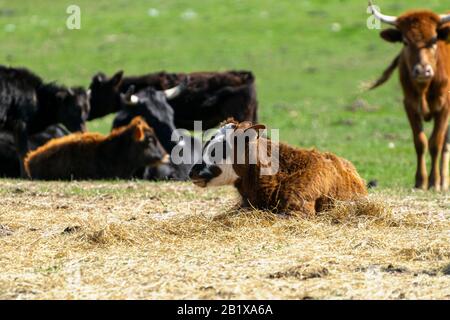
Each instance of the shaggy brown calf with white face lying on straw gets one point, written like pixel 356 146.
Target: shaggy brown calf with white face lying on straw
pixel 298 180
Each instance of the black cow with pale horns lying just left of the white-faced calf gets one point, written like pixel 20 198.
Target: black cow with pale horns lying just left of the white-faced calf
pixel 152 105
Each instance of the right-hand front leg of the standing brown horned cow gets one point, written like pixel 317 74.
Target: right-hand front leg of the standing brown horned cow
pixel 437 140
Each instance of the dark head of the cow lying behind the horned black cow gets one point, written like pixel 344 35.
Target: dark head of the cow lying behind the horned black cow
pixel 104 94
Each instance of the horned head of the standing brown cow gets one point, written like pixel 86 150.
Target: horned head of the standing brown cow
pixel 420 32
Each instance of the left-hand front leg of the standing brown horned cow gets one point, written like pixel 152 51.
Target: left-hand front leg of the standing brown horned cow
pixel 420 143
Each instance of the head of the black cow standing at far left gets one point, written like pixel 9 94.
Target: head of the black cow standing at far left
pixel 73 108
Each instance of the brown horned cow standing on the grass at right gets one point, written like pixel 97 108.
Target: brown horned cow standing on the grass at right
pixel 424 65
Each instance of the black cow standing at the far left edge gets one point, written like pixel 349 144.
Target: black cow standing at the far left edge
pixel 28 106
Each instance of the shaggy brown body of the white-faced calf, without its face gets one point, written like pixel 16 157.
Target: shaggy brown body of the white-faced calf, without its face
pixel 307 181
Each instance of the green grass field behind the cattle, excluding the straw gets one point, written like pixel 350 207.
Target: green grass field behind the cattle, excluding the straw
pixel 309 57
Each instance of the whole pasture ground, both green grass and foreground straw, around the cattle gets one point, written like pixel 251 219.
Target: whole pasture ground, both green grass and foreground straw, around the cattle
pixel 171 240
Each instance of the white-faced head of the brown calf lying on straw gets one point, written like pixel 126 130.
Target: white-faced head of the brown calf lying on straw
pixel 221 154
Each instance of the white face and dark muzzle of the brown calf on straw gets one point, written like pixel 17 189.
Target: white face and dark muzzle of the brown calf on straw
pixel 216 168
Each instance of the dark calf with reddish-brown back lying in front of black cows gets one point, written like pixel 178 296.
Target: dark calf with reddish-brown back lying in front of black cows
pixel 94 156
